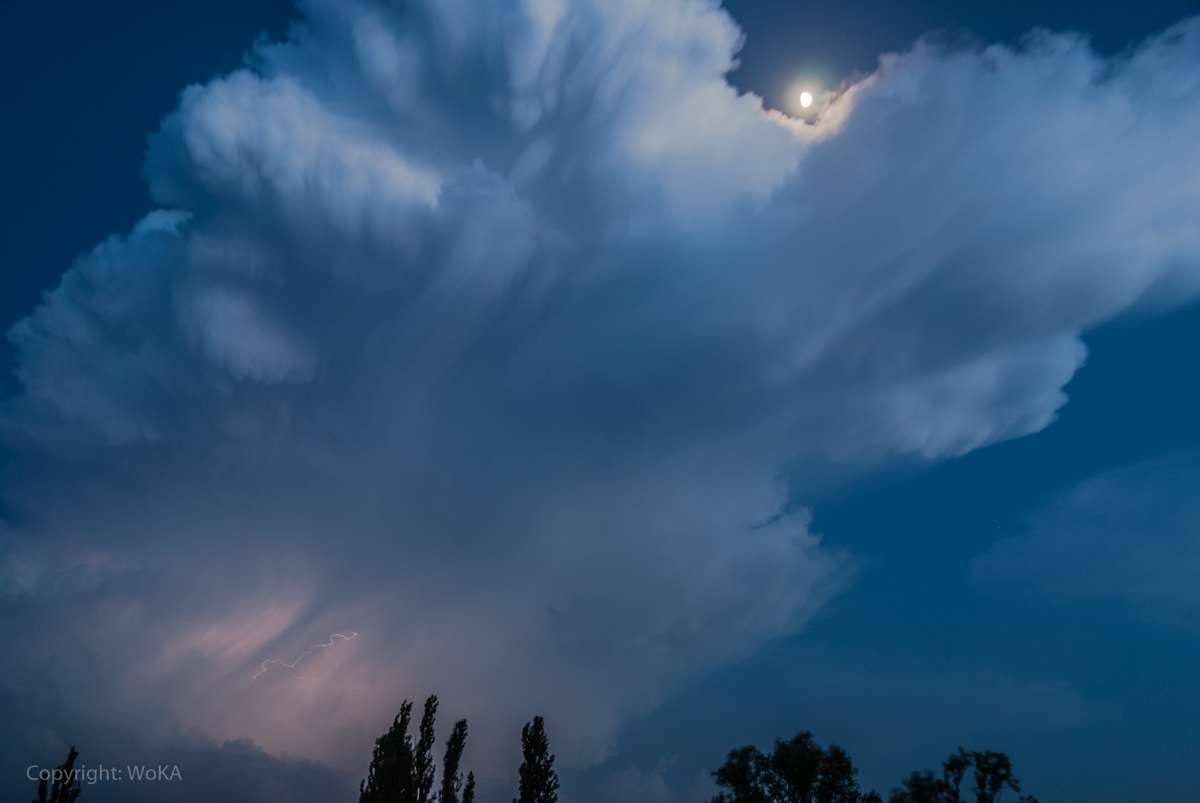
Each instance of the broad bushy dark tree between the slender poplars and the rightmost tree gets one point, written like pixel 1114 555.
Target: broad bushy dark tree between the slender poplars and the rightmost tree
pixel 799 771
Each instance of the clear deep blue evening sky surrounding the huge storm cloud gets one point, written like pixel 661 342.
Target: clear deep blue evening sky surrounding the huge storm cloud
pixel 1088 679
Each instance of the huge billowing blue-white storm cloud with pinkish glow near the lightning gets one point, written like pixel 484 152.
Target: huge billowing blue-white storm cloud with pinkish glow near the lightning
pixel 484 329
